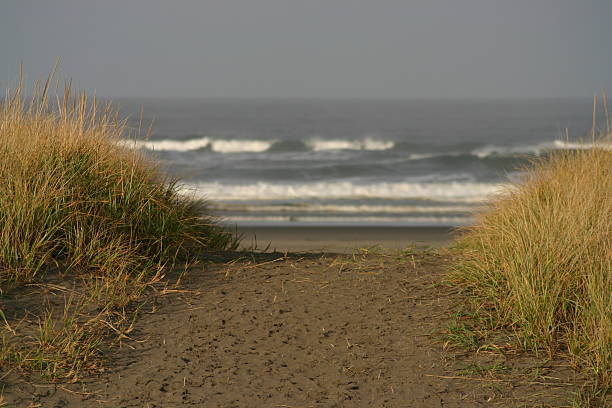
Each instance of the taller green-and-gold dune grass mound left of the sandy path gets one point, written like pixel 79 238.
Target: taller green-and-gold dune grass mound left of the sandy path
pixel 75 202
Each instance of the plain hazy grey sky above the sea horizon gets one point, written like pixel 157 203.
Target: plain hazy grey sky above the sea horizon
pixel 313 48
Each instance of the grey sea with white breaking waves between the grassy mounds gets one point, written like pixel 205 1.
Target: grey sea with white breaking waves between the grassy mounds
pixel 295 162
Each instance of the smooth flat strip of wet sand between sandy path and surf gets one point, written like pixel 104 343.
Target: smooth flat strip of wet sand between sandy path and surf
pixel 342 239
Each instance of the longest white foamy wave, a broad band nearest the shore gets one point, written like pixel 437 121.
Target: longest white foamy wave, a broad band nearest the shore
pixel 467 192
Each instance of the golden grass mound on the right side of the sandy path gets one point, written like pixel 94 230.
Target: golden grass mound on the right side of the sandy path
pixel 541 258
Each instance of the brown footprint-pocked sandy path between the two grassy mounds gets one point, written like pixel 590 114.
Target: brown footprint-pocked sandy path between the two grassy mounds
pixel 304 330
